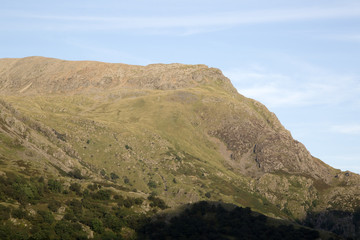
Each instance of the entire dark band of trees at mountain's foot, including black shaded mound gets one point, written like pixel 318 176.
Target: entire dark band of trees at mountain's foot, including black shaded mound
pixel 38 209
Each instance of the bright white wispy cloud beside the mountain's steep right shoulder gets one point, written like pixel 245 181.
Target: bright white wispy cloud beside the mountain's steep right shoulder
pixel 310 88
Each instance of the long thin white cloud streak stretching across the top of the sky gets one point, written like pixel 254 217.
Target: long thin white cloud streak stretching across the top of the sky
pixel 217 20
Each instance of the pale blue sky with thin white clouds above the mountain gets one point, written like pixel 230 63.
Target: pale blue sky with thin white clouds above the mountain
pixel 300 58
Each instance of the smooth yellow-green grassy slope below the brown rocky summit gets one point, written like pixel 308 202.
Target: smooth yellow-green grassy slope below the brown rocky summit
pixel 150 136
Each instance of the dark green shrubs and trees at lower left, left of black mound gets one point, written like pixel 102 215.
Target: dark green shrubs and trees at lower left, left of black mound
pixel 30 209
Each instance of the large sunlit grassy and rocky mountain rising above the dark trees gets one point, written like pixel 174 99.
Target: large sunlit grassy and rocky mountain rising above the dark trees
pixel 180 132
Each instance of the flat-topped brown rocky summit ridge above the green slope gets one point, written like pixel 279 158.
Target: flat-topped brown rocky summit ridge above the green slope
pixel 40 75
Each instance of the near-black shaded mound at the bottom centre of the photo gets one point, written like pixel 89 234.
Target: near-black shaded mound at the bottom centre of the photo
pixel 214 220
